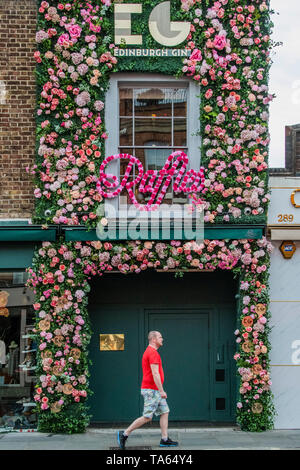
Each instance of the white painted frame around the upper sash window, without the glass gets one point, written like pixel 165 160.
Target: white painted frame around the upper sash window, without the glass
pixel 112 121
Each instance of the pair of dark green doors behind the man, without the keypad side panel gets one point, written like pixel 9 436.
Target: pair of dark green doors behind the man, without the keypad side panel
pixel 116 375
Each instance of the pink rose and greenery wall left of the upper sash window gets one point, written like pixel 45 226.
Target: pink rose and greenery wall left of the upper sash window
pixel 74 61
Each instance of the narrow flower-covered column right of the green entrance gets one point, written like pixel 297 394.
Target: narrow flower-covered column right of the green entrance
pixel 255 407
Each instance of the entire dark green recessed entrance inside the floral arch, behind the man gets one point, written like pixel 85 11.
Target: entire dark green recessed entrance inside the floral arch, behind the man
pixel 196 316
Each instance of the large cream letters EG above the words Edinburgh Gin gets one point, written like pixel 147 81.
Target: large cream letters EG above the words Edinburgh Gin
pixel 162 29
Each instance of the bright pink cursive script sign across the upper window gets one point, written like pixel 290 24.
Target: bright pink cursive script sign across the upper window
pixel 153 182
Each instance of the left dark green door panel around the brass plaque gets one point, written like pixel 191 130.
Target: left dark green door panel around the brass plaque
pixel 114 374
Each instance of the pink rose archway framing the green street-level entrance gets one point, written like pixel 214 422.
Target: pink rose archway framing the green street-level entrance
pixel 60 278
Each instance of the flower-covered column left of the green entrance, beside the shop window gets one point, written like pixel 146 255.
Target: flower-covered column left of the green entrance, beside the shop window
pixel 63 334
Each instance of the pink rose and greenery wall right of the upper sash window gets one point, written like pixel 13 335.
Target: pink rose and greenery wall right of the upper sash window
pixel 230 43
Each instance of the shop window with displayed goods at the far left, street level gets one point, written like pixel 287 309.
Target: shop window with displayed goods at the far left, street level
pixel 17 353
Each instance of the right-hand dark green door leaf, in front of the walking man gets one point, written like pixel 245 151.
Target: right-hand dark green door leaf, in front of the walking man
pixel 185 358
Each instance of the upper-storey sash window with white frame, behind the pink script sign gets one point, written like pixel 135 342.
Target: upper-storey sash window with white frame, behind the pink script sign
pixel 149 117
